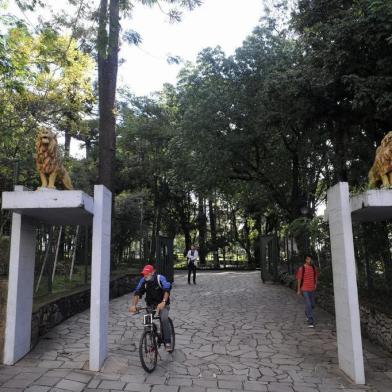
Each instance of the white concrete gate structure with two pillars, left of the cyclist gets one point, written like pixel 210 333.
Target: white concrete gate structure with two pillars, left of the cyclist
pixel 56 208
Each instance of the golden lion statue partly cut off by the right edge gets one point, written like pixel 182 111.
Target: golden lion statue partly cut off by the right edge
pixel 381 171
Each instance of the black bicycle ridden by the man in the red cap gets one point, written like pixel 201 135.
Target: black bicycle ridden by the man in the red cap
pixel 152 339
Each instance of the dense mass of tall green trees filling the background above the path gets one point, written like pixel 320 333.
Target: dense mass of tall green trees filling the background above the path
pixel 242 146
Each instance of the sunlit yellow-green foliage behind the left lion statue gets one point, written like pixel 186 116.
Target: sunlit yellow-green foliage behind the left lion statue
pixel 44 80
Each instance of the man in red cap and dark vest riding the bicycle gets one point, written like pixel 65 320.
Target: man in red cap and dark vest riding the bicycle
pixel 157 290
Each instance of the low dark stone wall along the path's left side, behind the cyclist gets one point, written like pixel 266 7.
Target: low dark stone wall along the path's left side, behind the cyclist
pixel 49 314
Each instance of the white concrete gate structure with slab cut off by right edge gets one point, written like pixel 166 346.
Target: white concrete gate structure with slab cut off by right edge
pixel 373 205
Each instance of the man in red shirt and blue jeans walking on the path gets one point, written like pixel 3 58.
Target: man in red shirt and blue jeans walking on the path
pixel 307 276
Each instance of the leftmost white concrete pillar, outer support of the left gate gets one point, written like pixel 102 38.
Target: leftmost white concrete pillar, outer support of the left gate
pixel 20 289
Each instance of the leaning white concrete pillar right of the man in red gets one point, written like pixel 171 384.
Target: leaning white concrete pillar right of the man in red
pixel 348 328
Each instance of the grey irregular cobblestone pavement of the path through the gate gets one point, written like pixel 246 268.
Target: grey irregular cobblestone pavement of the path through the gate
pixel 232 334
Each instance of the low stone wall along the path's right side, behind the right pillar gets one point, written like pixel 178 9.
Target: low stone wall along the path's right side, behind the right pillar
pixel 376 325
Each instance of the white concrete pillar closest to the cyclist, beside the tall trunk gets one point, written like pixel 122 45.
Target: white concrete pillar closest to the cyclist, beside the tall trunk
pixel 100 277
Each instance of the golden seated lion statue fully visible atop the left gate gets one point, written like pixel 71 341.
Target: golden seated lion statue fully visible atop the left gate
pixel 48 160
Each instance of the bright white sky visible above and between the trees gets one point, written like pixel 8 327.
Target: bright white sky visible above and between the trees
pixel 226 23
